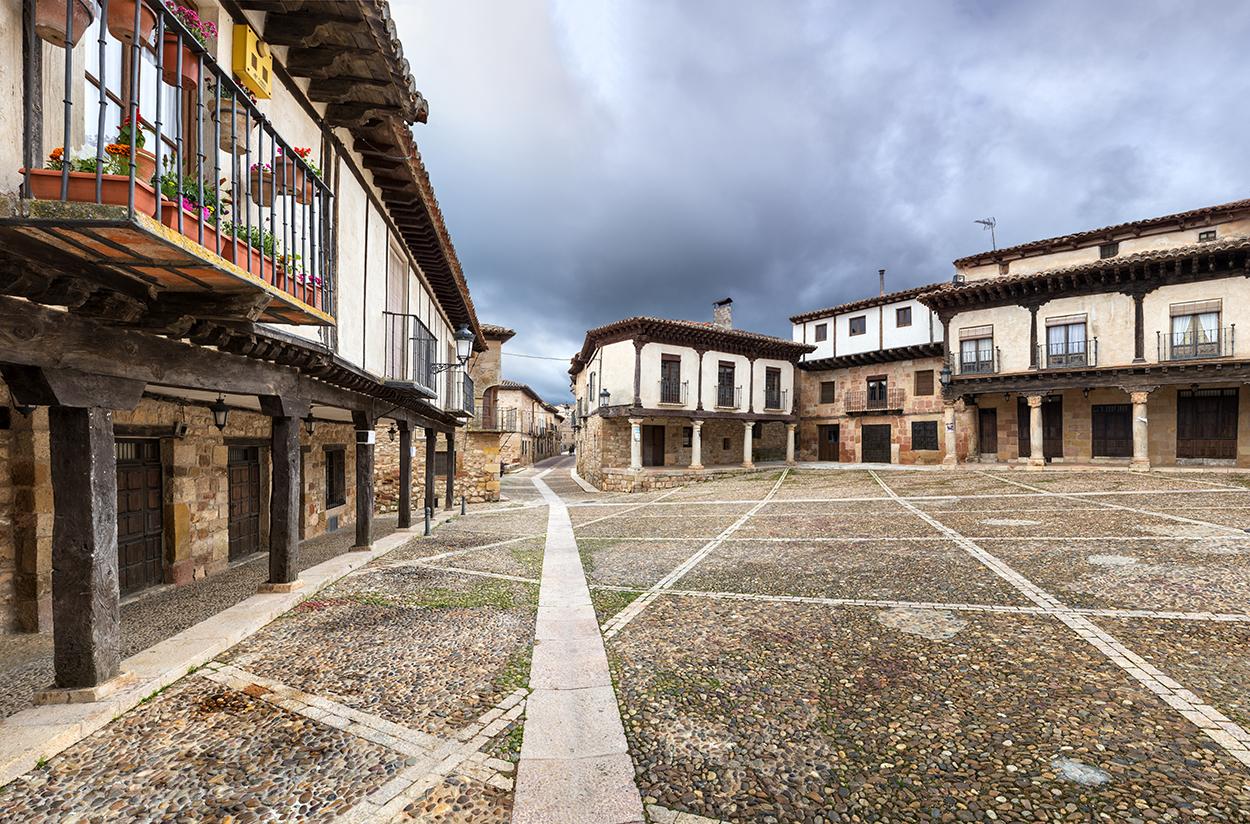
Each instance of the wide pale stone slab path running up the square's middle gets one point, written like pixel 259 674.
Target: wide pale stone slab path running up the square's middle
pixel 576 766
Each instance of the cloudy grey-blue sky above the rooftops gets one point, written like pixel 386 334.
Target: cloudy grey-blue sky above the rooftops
pixel 599 159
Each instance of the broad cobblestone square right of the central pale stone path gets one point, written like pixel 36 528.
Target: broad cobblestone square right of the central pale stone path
pixel 933 646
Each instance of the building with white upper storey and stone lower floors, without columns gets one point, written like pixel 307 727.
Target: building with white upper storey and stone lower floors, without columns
pixel 871 391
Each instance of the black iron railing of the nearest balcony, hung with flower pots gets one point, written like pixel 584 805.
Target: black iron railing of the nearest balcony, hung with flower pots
pixel 171 134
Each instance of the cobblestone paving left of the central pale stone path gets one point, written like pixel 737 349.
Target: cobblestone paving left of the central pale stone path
pixel 397 693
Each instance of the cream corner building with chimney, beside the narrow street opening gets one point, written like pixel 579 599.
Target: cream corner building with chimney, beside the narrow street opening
pixel 662 402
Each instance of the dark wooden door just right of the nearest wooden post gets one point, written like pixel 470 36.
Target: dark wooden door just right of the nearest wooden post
pixel 141 523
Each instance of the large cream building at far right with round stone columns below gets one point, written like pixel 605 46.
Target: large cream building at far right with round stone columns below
pixel 1109 346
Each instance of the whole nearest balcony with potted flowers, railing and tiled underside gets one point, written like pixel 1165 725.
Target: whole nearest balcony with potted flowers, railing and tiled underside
pixel 162 171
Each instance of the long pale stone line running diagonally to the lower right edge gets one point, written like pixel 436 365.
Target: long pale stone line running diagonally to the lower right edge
pixel 1217 727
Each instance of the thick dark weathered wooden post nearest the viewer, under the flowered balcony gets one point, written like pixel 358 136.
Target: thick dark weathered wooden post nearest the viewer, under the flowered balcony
pixel 86 596
